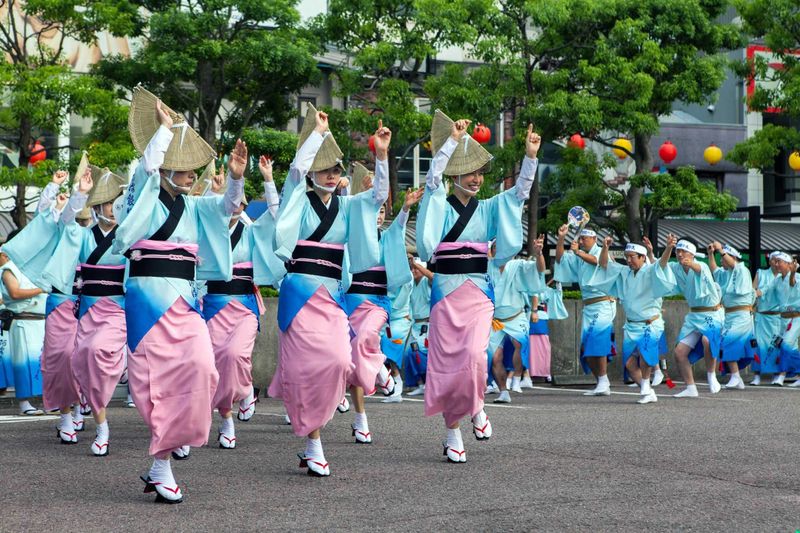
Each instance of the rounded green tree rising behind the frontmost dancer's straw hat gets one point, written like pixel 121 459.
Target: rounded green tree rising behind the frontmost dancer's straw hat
pixel 232 63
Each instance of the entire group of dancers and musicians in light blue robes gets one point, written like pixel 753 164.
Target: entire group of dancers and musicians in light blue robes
pixel 159 282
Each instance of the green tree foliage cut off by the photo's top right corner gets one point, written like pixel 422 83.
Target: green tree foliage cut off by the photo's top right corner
pixel 777 22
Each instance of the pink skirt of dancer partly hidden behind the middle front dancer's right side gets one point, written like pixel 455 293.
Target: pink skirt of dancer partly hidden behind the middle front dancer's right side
pixel 366 322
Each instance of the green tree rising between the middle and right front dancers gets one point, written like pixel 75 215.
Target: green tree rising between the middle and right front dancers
pixel 390 46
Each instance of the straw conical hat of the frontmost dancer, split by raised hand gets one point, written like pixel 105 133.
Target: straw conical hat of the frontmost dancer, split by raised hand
pixel 187 151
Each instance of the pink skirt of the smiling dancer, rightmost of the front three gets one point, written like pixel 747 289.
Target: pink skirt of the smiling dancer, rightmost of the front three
pixel 460 325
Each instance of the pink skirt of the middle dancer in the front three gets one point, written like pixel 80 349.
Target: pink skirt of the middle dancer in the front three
pixel 314 363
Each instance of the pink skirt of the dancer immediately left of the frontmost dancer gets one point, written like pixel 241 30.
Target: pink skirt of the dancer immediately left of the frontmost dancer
pixel 99 358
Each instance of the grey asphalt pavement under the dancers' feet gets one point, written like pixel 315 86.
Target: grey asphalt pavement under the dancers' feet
pixel 558 461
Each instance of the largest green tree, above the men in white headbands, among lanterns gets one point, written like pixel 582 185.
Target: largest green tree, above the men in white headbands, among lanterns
pixel 598 66
